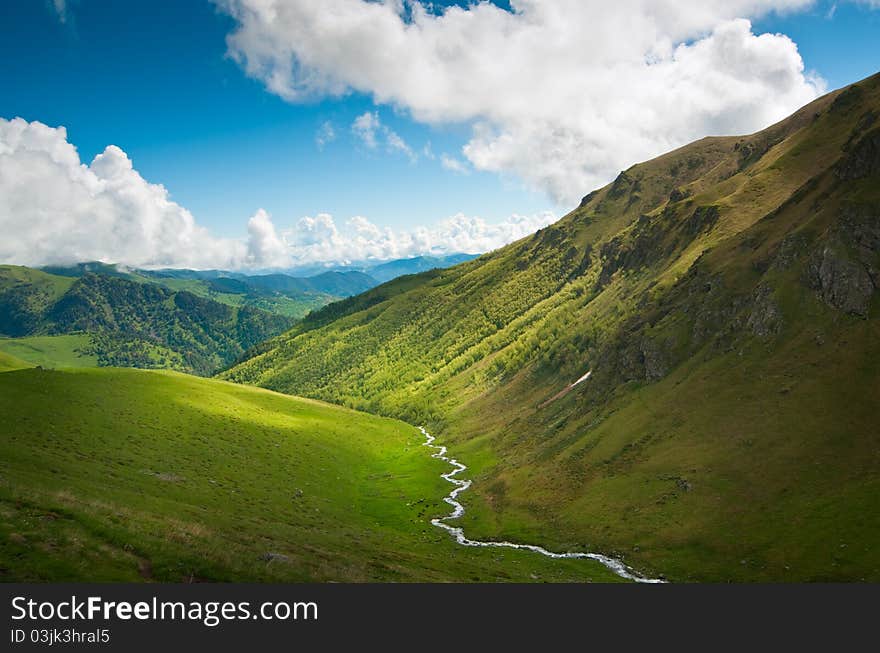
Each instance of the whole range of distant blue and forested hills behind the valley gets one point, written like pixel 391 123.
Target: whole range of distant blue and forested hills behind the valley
pixel 194 321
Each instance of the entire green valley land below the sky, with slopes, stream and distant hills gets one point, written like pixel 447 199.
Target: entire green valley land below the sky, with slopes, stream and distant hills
pixel 716 307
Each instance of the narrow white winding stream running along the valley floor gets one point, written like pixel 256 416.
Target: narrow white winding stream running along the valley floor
pixel 457 532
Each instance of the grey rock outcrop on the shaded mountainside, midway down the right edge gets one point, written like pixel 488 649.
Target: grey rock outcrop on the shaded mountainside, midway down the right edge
pixel 841 282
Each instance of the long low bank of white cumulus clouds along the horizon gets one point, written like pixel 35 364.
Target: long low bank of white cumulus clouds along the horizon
pixel 54 209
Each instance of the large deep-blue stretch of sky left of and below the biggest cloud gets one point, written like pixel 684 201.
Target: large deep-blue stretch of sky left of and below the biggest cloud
pixel 153 78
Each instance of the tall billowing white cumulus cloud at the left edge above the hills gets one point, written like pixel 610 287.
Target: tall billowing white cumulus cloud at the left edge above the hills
pixel 55 209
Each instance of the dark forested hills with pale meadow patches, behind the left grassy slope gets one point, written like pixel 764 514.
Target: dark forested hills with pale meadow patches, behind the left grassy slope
pixel 97 319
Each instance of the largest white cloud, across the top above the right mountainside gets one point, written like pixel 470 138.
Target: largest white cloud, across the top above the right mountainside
pixel 561 93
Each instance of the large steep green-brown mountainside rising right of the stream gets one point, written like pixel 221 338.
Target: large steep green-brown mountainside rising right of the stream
pixel 723 297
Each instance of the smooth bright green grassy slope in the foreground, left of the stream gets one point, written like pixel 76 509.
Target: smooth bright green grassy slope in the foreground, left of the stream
pixel 160 476
